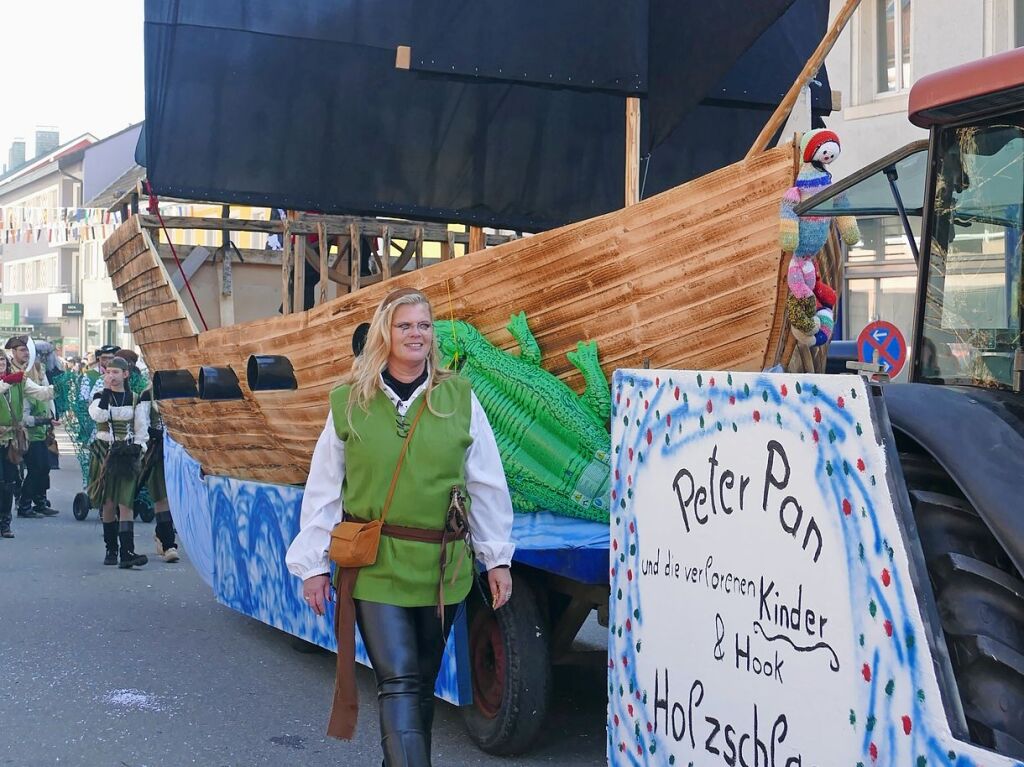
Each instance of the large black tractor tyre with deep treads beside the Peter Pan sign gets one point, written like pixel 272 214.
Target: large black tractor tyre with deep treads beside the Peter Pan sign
pixel 980 599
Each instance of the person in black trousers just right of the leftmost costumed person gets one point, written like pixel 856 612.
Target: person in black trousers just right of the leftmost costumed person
pixel 39 419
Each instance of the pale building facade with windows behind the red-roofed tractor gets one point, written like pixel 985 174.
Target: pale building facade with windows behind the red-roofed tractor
pixel 888 47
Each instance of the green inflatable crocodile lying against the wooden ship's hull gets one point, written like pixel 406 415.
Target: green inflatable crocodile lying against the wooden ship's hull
pixel 554 444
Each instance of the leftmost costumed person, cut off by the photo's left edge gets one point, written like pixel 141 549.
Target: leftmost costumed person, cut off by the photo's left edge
pixel 15 388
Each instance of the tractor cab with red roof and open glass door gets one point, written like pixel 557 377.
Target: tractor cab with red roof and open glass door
pixel 967 185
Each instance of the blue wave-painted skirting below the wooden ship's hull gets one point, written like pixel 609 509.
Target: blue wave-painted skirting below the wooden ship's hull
pixel 237 533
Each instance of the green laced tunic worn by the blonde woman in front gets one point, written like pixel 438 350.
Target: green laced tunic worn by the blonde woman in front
pixel 407 573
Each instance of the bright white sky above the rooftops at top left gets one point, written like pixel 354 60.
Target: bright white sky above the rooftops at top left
pixel 76 65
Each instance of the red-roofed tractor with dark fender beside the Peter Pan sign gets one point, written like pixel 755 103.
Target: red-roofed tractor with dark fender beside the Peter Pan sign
pixel 959 424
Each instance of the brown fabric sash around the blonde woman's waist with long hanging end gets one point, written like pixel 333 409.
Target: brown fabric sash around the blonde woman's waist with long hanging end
pixel 346 709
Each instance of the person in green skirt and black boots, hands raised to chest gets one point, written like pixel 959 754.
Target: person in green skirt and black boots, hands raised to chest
pixel 122 430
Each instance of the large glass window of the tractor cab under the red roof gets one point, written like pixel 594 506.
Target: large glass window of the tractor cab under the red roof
pixel 972 312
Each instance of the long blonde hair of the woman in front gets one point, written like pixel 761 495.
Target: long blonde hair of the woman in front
pixel 364 379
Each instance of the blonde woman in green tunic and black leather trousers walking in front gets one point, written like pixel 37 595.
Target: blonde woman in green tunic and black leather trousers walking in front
pixel 400 403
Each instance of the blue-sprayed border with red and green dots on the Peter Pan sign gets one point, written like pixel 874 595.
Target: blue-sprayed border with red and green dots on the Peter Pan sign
pixel 886 659
